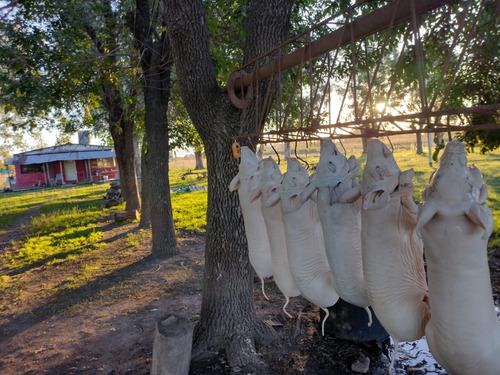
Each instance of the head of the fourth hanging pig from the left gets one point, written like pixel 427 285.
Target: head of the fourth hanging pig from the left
pixel 334 172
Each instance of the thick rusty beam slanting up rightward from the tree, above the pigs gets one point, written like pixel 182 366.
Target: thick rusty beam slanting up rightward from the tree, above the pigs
pixel 371 23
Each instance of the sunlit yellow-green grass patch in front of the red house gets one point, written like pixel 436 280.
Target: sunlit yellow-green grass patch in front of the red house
pixel 63 228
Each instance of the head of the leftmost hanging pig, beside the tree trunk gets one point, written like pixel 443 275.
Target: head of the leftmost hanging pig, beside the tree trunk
pixel 248 173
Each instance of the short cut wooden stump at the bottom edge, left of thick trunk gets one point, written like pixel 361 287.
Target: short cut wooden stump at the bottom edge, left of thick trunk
pixel 172 346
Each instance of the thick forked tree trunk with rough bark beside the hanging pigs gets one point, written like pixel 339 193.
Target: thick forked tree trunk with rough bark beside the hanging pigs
pixel 228 320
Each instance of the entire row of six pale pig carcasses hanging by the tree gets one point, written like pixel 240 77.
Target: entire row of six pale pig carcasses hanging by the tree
pixel 326 235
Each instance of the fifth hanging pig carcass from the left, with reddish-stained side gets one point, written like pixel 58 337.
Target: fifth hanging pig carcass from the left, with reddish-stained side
pixel 392 251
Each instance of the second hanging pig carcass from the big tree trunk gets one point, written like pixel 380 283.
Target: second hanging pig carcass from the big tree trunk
pixel 270 183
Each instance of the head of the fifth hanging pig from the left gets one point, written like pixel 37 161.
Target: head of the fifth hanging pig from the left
pixel 380 175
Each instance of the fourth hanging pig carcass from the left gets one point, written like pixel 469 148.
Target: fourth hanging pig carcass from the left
pixel 339 208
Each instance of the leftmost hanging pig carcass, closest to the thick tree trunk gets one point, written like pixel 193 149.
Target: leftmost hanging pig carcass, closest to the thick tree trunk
pixel 246 182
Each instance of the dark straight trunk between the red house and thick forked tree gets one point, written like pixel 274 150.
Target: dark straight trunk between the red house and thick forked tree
pixel 156 64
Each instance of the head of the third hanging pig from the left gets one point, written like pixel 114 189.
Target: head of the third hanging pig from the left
pixel 295 181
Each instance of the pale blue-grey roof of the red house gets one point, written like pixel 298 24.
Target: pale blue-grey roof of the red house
pixel 68 151
